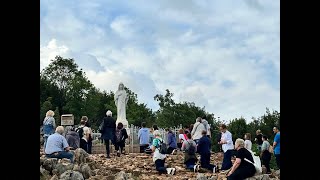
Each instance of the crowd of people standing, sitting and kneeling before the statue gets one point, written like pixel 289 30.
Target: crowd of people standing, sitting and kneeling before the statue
pixel 194 141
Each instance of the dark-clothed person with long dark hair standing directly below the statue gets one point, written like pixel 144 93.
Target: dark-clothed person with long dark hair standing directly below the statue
pixel 120 137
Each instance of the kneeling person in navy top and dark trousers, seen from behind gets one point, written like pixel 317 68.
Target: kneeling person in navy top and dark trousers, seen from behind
pixel 204 149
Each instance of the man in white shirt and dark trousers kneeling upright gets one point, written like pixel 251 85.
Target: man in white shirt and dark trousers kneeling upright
pixel 227 147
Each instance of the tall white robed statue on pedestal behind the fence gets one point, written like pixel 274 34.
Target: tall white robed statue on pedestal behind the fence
pixel 121 99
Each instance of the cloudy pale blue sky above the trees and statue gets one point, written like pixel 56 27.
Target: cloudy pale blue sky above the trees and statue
pixel 224 55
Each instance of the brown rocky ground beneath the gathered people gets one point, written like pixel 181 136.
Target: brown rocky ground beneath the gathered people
pixel 129 166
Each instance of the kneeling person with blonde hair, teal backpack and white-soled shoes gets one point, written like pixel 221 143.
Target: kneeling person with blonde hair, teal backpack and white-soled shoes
pixel 158 158
